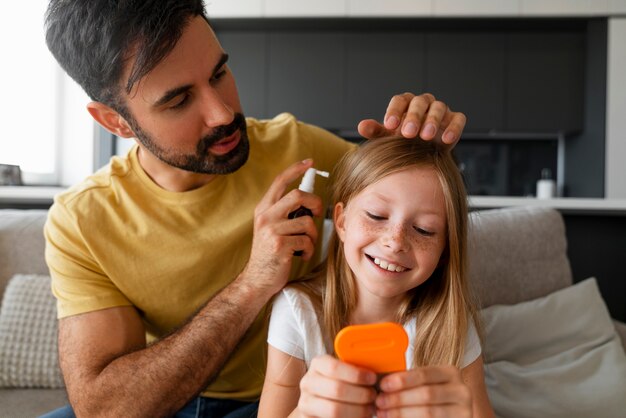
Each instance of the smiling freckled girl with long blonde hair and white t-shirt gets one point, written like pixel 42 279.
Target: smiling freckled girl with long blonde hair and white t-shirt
pixel 398 253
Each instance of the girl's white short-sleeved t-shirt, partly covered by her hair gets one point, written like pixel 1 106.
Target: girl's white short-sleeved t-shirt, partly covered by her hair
pixel 295 330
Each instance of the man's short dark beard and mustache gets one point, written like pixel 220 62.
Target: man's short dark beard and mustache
pixel 202 161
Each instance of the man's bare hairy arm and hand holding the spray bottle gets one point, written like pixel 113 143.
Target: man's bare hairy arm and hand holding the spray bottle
pixel 108 369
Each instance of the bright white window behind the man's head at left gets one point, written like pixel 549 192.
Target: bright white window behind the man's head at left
pixel 45 127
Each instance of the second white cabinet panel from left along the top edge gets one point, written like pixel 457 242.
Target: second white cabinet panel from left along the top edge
pixel 317 8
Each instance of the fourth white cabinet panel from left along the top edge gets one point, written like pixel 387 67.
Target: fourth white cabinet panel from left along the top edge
pixel 504 8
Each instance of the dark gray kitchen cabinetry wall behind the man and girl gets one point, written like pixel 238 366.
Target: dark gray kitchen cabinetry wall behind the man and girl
pixel 509 76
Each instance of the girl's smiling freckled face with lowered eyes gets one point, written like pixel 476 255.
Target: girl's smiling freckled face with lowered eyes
pixel 393 233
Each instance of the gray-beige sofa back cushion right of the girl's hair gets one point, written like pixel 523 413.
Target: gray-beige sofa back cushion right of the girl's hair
pixel 517 254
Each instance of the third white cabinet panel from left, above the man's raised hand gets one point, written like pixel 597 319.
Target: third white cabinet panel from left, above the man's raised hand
pixel 390 8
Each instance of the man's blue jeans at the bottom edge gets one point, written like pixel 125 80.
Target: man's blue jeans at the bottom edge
pixel 199 407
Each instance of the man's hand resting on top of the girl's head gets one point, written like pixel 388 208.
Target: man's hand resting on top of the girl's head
pixel 409 115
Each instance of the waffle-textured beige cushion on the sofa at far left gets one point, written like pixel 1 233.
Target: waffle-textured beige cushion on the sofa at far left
pixel 28 334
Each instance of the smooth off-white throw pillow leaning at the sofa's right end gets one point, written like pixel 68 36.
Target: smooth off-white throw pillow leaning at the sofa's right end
pixel 555 356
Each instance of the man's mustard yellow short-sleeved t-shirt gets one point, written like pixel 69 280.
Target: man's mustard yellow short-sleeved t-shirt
pixel 118 239
